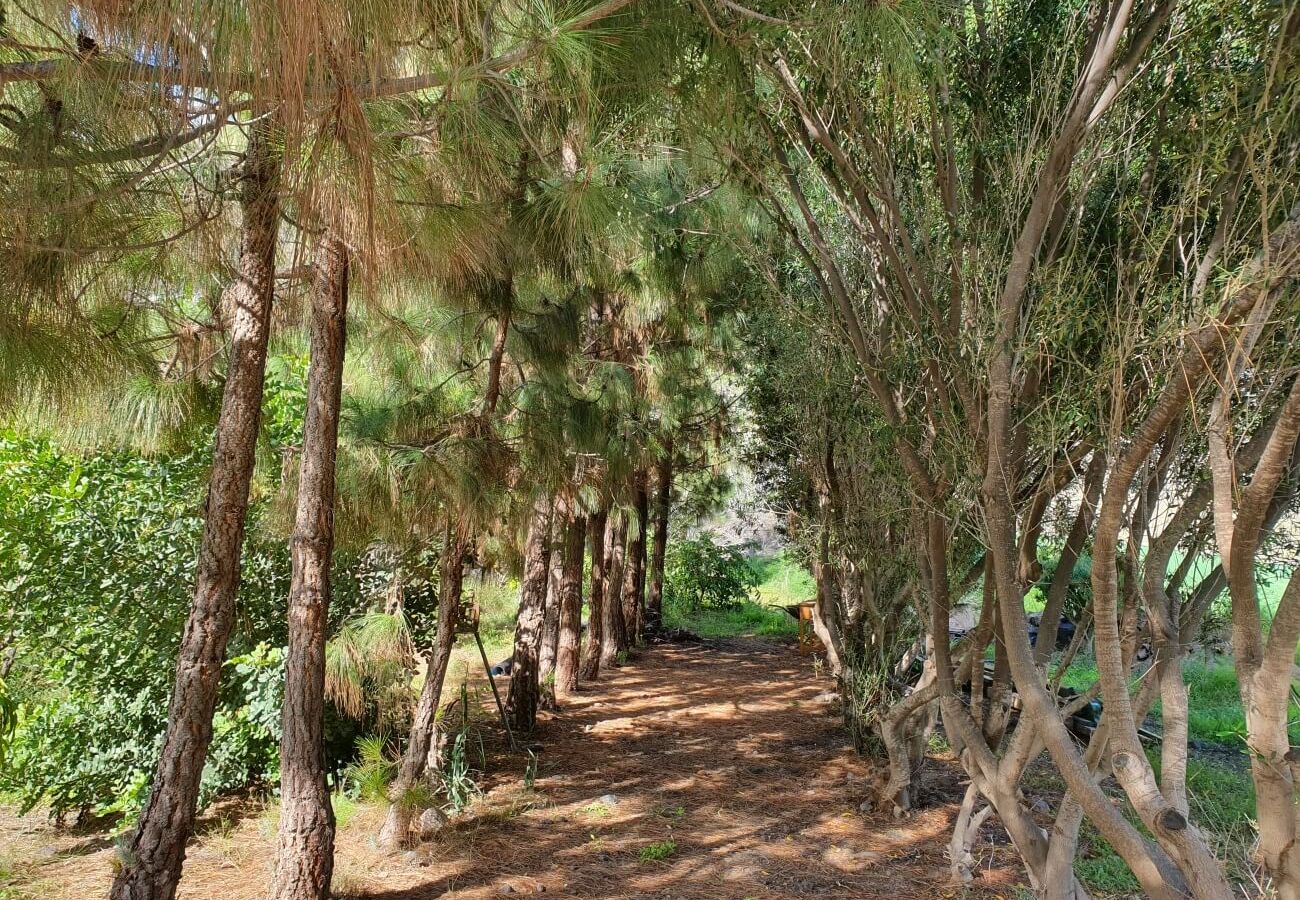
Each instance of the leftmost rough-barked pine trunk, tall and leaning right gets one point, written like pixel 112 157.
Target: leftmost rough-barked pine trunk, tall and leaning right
pixel 151 864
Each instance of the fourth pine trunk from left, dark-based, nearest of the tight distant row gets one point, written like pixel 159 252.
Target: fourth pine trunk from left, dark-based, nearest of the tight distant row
pixel 522 704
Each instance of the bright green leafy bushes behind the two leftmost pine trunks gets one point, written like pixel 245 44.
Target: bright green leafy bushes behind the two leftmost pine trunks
pixel 97 559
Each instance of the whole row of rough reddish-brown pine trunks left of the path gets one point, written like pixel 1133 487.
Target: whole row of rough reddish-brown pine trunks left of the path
pixel 551 657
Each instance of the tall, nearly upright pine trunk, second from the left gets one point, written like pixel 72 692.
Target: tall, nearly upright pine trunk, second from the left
pixel 306 859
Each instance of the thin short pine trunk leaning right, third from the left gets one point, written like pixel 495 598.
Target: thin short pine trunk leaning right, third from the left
pixel 415 761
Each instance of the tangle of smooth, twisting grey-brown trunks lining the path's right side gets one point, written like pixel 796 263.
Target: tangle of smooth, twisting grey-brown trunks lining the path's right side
pixel 1126 492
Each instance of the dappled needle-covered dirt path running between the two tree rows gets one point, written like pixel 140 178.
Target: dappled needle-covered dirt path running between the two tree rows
pixel 729 755
